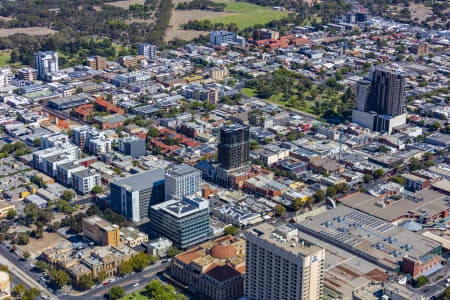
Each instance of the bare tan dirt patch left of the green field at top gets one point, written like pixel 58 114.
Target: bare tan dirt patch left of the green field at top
pixel 180 17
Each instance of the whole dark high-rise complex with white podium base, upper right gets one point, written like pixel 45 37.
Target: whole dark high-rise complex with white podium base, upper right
pixel 380 100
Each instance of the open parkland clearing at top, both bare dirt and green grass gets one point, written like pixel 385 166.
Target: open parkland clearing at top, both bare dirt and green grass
pixel 242 13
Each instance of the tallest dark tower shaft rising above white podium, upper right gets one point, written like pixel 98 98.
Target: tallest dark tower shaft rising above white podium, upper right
pixel 387 92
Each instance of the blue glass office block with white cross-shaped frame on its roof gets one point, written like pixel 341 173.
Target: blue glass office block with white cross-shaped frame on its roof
pixel 185 222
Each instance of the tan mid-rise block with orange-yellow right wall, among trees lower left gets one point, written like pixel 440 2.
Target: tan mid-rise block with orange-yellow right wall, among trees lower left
pixel 100 231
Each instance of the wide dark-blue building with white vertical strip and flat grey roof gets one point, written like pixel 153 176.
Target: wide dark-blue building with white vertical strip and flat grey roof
pixel 133 195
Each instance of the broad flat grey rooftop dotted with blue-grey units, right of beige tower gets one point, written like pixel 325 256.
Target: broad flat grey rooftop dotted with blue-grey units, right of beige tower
pixel 382 241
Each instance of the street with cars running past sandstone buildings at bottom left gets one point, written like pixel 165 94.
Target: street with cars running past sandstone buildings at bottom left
pixel 128 283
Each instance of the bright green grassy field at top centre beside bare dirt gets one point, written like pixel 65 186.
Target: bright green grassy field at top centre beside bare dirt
pixel 246 14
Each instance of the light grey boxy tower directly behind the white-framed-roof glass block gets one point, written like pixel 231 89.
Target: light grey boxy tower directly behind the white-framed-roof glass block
pixel 183 180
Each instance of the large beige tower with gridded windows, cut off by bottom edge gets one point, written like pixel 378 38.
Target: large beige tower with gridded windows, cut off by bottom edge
pixel 279 266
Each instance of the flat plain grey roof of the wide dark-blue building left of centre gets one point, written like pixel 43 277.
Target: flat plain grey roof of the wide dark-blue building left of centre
pixel 142 180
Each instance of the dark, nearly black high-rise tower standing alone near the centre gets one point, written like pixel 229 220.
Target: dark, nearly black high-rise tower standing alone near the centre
pixel 233 146
